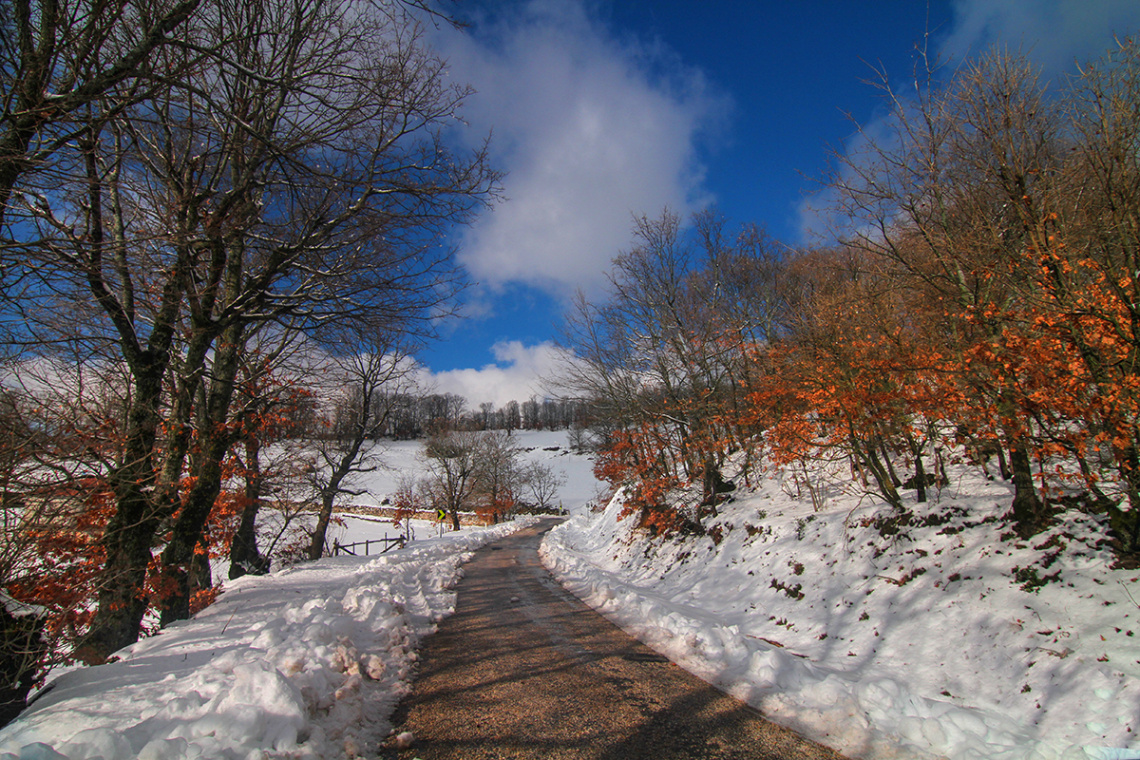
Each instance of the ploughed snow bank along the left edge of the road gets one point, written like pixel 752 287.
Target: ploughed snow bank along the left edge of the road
pixel 307 664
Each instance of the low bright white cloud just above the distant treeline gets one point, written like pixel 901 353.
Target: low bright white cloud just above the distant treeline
pixel 516 375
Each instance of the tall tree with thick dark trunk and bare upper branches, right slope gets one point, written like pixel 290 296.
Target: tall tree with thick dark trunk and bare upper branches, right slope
pixel 943 201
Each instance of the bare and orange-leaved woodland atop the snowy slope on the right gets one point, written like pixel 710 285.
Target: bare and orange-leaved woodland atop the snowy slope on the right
pixel 980 303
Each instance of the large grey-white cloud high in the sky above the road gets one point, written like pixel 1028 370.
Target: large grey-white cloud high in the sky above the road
pixel 591 130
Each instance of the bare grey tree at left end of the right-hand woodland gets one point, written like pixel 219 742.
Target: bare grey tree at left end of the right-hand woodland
pixel 669 346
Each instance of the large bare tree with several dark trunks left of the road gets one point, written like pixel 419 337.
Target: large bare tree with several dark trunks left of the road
pixel 299 175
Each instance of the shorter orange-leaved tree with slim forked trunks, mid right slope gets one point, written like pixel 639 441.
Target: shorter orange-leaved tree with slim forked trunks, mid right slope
pixel 857 377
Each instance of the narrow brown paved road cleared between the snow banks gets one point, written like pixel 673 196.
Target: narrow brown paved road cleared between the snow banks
pixel 526 671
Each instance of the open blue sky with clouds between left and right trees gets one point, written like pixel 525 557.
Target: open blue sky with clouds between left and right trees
pixel 605 110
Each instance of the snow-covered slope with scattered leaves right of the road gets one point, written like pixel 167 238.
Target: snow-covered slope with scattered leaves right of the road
pixel 935 639
